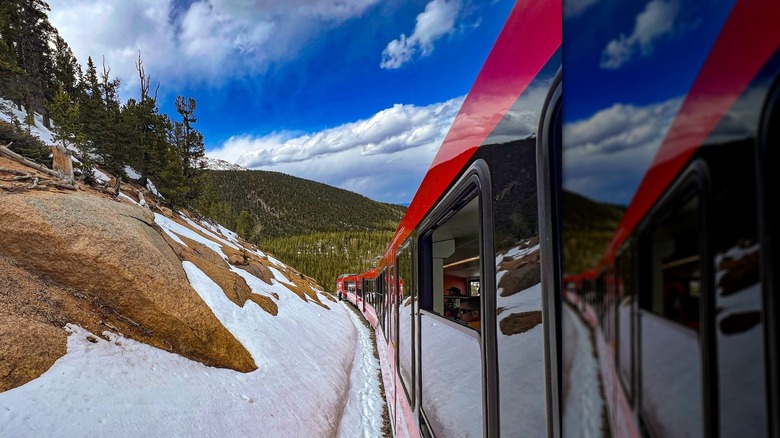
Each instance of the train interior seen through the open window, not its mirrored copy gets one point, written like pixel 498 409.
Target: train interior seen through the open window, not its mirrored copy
pixel 456 266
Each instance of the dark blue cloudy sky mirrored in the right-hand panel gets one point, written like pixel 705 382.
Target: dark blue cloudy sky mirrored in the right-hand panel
pixel 627 69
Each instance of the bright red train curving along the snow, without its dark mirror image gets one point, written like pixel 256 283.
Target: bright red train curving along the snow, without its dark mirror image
pixel 469 241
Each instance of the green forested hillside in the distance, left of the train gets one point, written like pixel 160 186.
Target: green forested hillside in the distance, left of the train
pixel 321 230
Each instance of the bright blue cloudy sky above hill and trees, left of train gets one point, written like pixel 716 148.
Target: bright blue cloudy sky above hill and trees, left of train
pixel 353 93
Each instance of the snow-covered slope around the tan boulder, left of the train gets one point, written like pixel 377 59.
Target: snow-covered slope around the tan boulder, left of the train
pixel 109 384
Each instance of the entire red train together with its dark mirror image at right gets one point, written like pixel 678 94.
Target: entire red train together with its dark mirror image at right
pixel 618 245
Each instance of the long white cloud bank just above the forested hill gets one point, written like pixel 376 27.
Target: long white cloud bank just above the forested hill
pixel 383 157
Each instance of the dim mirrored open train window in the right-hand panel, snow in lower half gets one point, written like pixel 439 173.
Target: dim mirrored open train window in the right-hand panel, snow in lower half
pixel 672 397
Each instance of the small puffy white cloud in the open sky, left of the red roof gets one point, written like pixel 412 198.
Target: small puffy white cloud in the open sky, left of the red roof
pixel 437 20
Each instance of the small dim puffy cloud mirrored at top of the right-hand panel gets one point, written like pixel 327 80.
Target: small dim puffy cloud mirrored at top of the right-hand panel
pixel 656 20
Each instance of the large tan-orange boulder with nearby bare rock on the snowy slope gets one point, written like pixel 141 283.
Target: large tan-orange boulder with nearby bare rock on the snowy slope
pixel 84 258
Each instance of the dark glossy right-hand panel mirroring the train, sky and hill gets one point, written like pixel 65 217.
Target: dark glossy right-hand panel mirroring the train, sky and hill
pixel 669 315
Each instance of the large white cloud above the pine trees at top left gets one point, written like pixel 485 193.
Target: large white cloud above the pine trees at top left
pixel 204 41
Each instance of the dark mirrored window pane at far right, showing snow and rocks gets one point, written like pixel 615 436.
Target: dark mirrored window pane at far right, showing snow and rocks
pixel 739 320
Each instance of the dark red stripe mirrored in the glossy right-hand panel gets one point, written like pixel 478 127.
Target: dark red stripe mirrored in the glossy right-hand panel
pixel 746 42
